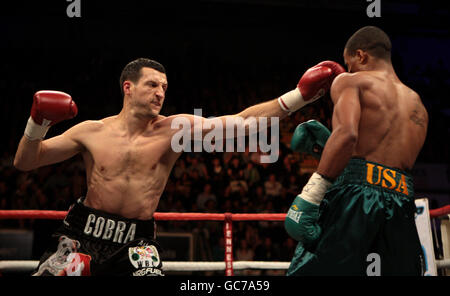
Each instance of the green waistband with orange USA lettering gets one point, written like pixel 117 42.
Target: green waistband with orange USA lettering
pixel 361 171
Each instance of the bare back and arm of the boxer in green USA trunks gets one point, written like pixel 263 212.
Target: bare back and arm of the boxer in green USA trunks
pixel 385 119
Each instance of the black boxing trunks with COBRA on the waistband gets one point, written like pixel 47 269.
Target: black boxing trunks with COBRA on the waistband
pixel 93 242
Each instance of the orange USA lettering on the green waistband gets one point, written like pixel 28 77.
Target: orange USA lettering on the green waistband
pixel 386 178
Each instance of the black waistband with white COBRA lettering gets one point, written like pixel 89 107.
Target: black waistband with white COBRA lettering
pixel 106 227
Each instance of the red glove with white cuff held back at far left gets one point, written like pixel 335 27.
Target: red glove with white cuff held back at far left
pixel 49 107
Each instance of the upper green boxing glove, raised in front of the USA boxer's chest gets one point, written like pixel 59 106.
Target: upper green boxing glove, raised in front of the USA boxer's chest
pixel 310 137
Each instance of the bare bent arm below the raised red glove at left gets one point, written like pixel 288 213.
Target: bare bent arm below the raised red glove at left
pixel 34 154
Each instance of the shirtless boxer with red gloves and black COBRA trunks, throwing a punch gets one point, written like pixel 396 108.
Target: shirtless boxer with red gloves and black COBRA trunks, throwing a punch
pixel 146 138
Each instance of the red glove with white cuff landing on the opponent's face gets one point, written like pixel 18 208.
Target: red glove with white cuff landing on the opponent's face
pixel 315 82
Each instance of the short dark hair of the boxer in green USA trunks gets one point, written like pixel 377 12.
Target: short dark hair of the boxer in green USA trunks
pixel 371 39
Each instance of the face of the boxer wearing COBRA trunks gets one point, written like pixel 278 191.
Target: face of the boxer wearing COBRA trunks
pixel 149 92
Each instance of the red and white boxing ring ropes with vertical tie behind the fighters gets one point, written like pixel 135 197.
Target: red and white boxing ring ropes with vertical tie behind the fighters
pixel 228 265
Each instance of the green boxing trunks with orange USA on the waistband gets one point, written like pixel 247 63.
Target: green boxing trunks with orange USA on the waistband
pixel 368 228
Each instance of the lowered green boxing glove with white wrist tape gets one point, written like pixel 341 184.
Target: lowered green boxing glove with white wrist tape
pixel 301 219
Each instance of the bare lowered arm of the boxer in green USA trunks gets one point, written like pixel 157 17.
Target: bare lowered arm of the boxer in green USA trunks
pixel 346 116
